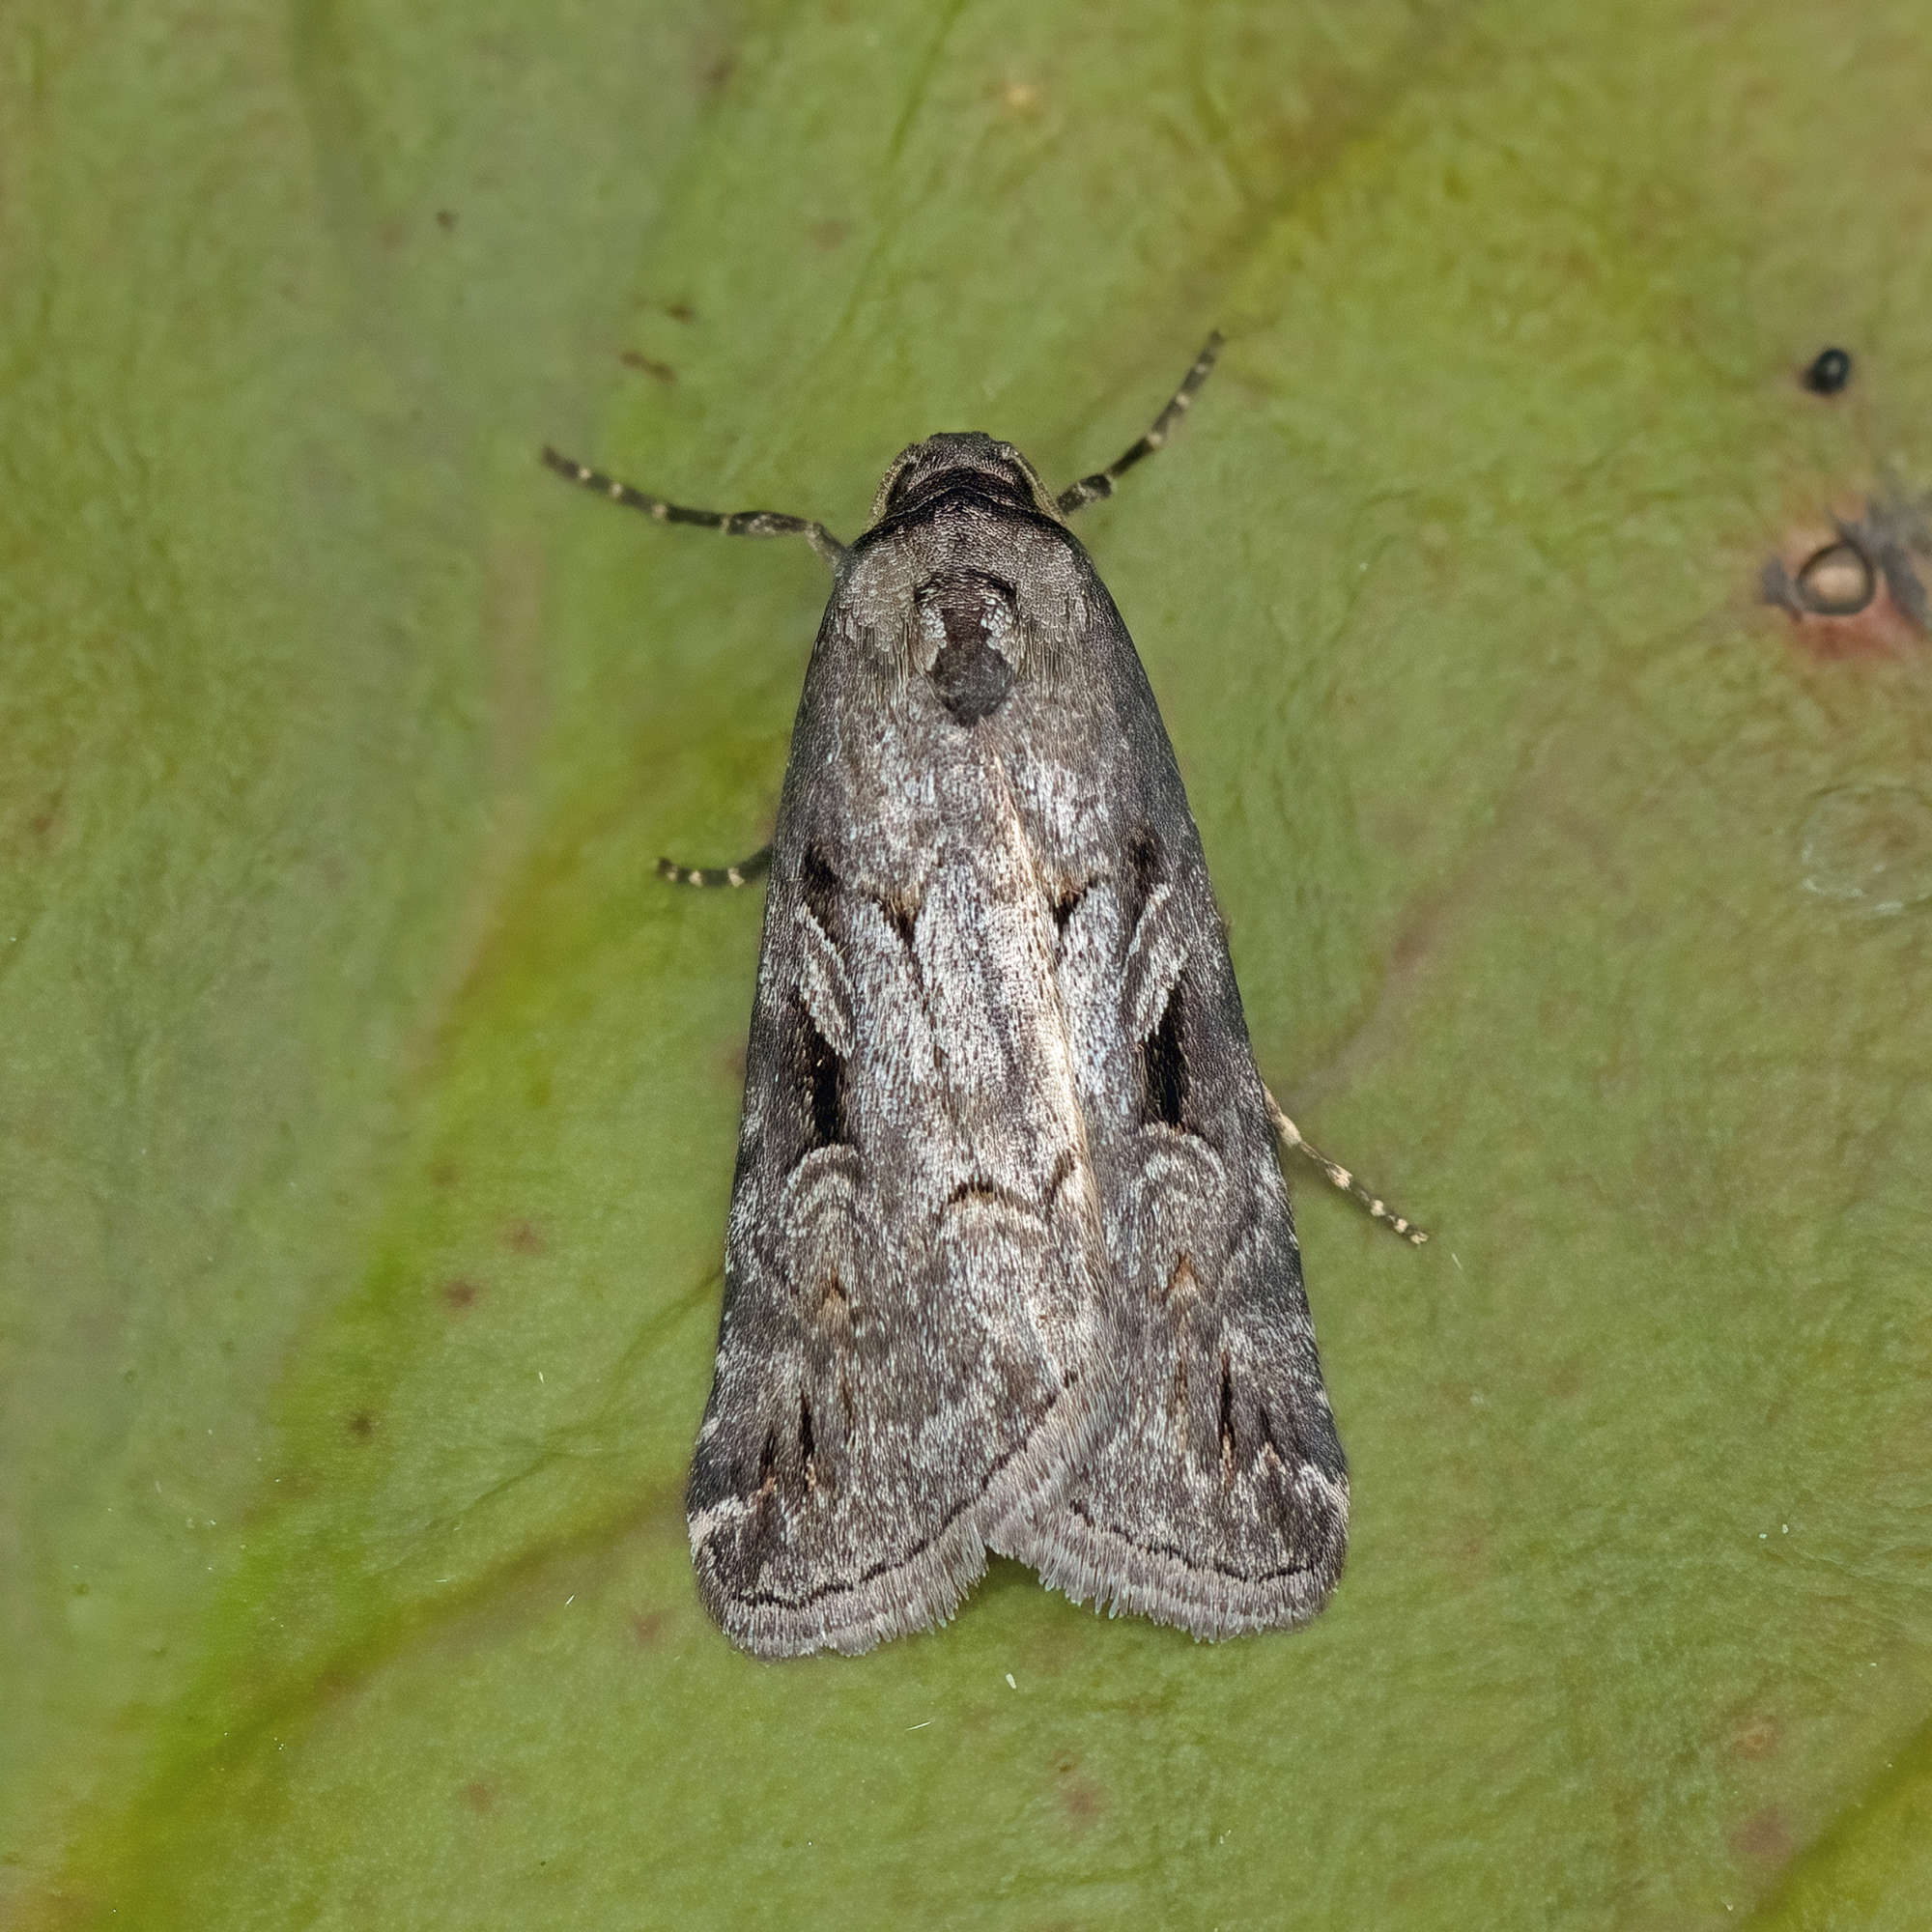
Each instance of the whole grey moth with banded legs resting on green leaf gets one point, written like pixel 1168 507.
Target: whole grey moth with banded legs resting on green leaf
pixel 1009 1264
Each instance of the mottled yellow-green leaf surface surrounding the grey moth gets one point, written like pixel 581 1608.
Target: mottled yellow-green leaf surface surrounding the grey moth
pixel 368 1106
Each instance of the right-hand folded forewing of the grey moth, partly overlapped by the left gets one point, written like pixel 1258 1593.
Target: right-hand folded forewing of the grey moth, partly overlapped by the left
pixel 1218 1500
